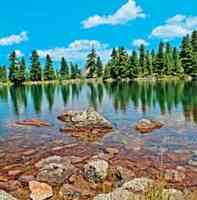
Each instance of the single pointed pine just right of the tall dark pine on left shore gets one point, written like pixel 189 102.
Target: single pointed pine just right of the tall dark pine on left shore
pixel 49 73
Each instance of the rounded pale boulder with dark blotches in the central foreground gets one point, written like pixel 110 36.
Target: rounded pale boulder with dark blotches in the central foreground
pixel 96 170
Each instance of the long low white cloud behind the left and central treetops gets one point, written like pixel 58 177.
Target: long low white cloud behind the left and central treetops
pixel 77 51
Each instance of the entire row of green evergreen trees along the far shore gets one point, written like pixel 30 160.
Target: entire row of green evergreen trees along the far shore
pixel 166 60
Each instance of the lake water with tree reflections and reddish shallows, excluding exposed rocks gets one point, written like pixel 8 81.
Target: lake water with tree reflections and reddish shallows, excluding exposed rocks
pixel 170 150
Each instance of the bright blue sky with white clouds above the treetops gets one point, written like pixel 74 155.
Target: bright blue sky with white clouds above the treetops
pixel 70 28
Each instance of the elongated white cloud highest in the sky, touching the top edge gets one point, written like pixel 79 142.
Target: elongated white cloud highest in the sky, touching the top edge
pixel 126 13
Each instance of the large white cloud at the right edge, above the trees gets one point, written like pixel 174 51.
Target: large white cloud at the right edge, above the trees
pixel 176 26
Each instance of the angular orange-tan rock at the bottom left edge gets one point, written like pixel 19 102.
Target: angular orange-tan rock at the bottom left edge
pixel 40 191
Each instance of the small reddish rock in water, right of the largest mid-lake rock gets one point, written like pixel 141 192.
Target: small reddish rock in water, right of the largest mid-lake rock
pixel 147 126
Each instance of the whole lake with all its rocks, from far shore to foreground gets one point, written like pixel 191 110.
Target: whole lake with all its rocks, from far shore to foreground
pixel 100 161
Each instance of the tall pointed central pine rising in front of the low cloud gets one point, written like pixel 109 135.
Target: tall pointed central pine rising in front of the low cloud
pixel 91 64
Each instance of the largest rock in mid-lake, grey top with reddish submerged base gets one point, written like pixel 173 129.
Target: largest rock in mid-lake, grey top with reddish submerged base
pixel 87 125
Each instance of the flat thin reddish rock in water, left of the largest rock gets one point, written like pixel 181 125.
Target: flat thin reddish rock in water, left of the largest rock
pixel 33 122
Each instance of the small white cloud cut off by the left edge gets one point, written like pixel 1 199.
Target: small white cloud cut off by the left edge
pixel 14 39
